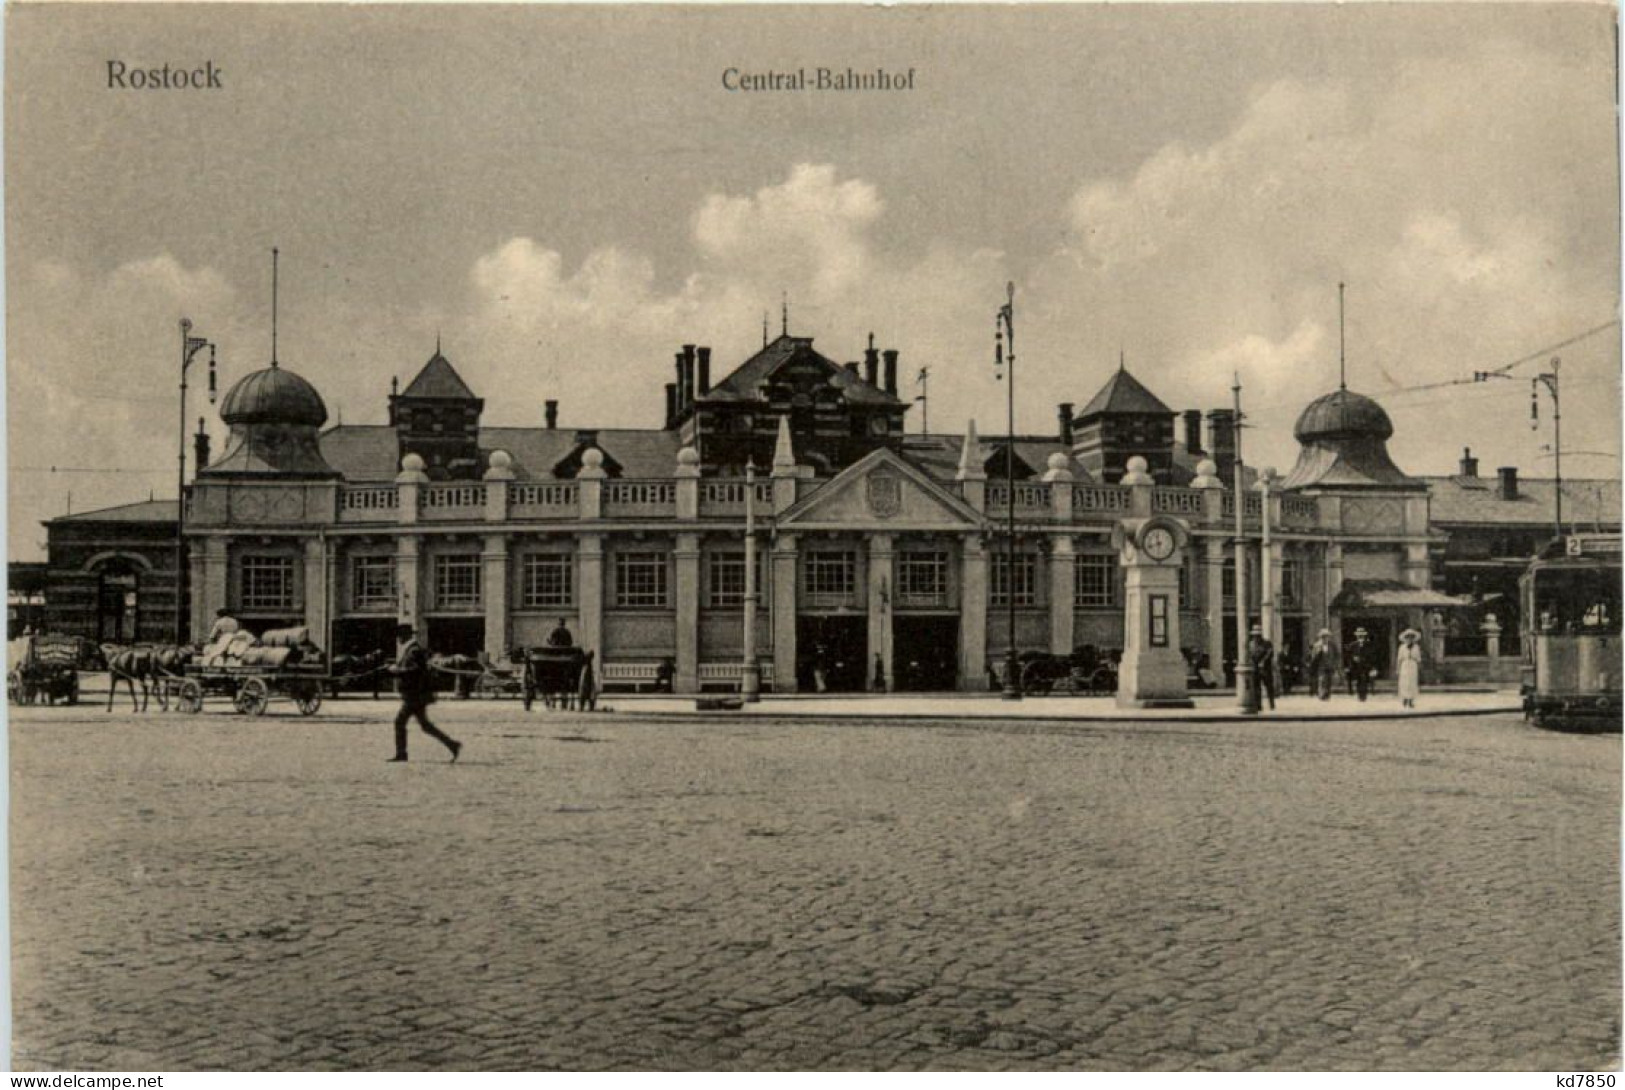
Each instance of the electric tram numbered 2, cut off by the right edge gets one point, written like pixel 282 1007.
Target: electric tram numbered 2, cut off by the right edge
pixel 1572 634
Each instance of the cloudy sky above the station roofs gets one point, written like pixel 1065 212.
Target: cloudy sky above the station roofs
pixel 566 196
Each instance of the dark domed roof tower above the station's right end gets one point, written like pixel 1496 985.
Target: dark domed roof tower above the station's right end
pixel 1345 446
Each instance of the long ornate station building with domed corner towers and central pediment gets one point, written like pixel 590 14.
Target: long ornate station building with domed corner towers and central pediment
pixel 878 551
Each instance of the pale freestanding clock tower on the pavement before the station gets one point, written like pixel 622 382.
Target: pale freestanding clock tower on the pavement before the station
pixel 1153 672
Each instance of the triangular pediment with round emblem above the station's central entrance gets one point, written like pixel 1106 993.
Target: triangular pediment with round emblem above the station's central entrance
pixel 883 491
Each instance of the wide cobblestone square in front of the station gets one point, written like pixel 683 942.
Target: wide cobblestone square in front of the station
pixel 609 894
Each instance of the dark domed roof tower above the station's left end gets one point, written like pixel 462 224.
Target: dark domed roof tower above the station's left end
pixel 275 418
